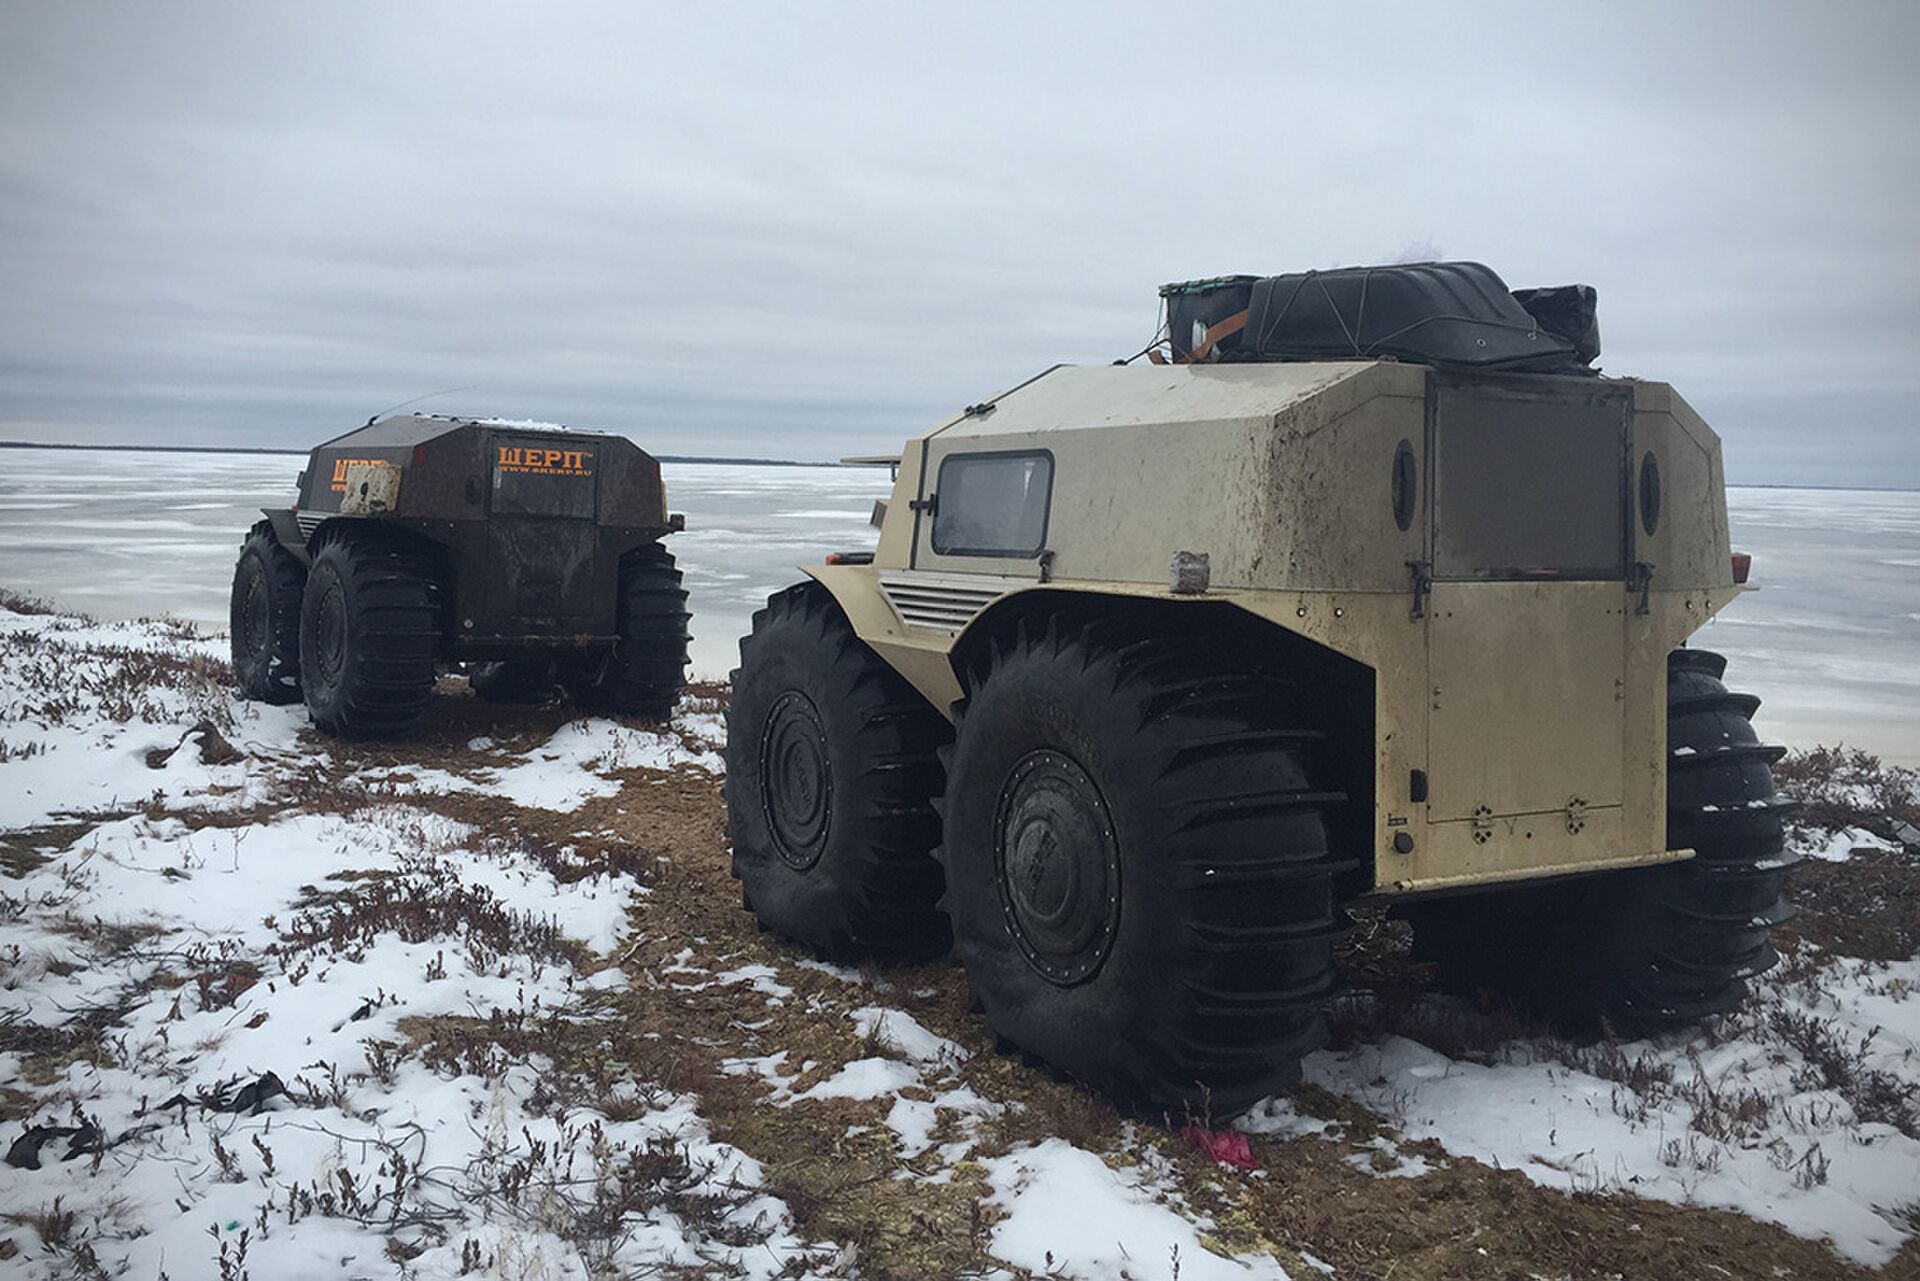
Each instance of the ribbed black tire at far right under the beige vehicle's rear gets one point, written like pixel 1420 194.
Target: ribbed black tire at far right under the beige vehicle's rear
pixel 1656 948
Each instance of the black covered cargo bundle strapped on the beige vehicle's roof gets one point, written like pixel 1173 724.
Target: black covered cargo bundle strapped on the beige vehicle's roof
pixel 1433 314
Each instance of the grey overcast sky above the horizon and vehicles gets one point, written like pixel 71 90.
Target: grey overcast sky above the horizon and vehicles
pixel 809 231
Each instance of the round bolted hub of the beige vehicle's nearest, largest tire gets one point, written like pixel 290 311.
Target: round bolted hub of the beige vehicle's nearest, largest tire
pixel 1057 865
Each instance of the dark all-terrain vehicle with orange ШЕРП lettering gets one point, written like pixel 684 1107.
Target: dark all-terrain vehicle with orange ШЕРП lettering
pixel 531 554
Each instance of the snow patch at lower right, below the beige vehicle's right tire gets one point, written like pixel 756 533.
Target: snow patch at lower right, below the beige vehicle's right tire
pixel 1765 1113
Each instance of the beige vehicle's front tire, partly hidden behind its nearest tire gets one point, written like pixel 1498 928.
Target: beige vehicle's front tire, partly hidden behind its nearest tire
pixel 830 777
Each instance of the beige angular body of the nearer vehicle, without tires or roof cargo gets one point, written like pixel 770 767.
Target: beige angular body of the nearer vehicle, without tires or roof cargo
pixel 1516 612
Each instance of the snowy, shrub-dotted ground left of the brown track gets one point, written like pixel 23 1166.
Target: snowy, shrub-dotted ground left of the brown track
pixel 224 938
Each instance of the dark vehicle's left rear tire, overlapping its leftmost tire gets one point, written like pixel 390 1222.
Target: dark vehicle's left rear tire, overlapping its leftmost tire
pixel 370 629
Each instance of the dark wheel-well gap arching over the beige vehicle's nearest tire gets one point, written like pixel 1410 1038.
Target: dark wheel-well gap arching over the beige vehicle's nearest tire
pixel 1337 694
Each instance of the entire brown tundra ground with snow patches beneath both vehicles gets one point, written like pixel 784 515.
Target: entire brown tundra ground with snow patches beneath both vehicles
pixel 487 1005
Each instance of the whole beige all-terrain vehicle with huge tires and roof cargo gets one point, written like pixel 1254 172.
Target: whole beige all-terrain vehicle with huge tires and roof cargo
pixel 1366 587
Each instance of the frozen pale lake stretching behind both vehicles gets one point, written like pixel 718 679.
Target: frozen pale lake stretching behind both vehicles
pixel 1833 640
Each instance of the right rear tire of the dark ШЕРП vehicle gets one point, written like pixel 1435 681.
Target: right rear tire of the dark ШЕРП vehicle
pixel 648 667
